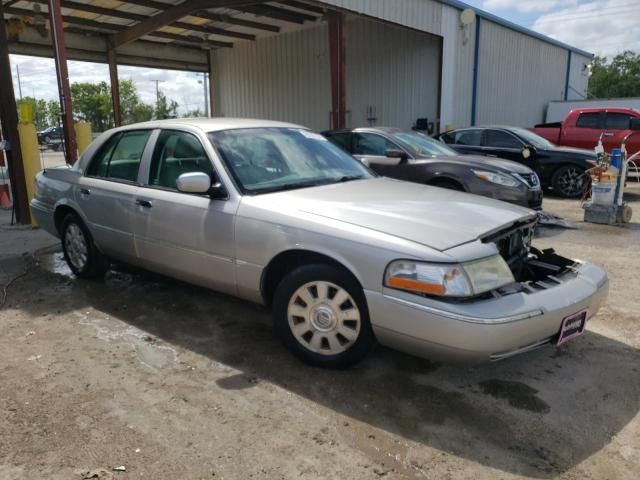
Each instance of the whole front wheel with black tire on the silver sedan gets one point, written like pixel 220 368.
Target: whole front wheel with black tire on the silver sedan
pixel 312 324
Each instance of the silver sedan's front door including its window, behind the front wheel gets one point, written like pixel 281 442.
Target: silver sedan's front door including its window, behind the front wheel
pixel 184 235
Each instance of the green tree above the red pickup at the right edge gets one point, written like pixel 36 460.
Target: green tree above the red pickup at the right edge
pixel 618 78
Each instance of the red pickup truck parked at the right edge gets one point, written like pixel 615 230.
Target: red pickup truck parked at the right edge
pixel 583 126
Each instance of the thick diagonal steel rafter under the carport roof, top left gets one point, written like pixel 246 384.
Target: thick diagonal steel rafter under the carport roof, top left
pixel 170 15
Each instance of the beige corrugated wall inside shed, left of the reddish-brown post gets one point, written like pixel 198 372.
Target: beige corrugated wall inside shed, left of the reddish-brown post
pixel 284 77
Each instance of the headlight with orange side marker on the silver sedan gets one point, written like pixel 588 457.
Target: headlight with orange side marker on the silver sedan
pixel 446 280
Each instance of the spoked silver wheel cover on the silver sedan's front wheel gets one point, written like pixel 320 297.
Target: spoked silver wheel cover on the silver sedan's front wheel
pixel 324 318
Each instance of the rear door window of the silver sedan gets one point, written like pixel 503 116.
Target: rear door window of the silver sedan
pixel 119 158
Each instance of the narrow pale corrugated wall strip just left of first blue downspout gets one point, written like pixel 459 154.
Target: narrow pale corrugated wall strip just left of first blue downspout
pixel 457 70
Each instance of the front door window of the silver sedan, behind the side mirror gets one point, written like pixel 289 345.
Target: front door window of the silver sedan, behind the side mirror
pixel 177 153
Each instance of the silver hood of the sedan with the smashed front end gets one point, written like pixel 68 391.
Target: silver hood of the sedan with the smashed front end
pixel 431 216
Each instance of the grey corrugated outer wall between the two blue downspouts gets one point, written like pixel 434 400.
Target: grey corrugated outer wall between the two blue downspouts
pixel 518 75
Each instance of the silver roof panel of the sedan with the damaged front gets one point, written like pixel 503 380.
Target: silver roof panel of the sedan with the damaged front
pixel 209 124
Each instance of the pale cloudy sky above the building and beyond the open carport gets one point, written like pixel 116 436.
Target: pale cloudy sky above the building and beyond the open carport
pixel 603 27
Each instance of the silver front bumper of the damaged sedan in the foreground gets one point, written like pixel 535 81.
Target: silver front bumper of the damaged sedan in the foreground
pixel 484 330
